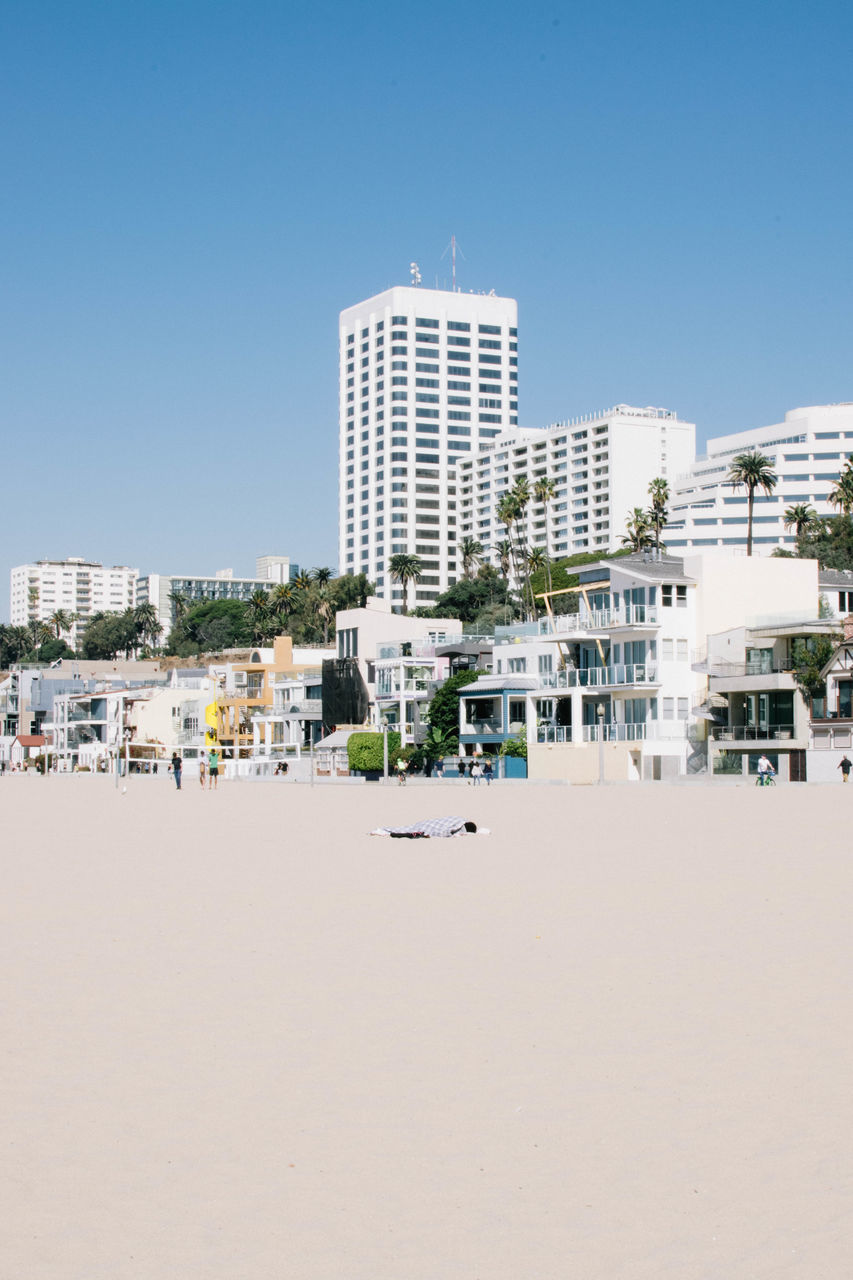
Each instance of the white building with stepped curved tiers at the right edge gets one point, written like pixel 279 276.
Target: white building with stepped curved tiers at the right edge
pixel 808 451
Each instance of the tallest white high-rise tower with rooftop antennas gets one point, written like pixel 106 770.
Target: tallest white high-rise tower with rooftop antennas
pixel 428 378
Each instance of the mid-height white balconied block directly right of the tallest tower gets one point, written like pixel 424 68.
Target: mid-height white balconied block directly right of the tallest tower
pixel 601 467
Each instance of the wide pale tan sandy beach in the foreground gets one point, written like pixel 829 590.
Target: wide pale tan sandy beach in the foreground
pixel 245 1040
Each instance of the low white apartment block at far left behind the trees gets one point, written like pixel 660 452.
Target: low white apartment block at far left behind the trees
pixel 75 586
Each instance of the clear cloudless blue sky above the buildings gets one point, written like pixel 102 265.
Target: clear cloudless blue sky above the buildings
pixel 193 191
